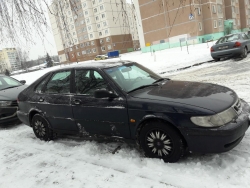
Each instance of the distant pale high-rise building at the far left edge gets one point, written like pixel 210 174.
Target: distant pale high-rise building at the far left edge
pixel 9 60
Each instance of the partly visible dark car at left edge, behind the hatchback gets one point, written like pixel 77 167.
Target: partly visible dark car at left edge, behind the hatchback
pixel 9 90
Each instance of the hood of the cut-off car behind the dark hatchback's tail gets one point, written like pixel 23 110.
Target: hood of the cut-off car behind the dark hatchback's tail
pixel 12 93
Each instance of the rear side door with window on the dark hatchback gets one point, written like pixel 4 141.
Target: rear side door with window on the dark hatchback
pixel 53 100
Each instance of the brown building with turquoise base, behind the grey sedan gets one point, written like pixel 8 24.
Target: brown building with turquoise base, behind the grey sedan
pixel 169 23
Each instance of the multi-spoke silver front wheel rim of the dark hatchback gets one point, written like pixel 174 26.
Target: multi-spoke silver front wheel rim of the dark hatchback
pixel 159 143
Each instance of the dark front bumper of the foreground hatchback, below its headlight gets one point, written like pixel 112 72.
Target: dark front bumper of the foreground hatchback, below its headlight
pixel 221 139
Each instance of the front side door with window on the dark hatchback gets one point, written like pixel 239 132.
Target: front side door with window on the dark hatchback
pixel 103 116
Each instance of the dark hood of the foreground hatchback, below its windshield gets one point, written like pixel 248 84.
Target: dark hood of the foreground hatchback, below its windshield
pixel 204 95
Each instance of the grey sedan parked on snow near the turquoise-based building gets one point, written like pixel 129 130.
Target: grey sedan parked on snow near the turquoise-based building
pixel 233 45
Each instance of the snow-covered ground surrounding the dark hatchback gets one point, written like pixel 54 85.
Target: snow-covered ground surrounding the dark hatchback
pixel 26 161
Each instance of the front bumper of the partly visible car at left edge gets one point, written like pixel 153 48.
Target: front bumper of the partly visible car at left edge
pixel 8 116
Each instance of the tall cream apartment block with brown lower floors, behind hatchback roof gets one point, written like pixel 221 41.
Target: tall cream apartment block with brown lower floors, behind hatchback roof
pixel 83 29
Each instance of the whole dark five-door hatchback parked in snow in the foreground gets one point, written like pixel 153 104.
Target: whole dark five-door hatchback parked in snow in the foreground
pixel 124 99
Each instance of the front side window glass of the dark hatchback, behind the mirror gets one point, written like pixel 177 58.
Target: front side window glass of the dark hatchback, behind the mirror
pixel 88 81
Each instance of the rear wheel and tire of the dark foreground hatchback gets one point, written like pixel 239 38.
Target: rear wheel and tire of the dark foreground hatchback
pixel 41 128
